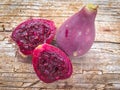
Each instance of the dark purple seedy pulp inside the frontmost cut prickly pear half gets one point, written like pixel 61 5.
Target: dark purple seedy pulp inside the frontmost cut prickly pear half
pixel 51 66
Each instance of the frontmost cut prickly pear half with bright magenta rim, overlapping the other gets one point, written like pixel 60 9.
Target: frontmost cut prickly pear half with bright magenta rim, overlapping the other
pixel 50 63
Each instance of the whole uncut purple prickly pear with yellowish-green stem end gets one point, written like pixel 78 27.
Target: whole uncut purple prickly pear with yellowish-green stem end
pixel 76 35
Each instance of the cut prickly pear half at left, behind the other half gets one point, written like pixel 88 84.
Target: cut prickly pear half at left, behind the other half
pixel 29 34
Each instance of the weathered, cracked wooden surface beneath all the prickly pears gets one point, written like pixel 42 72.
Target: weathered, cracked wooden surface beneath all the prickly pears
pixel 99 69
